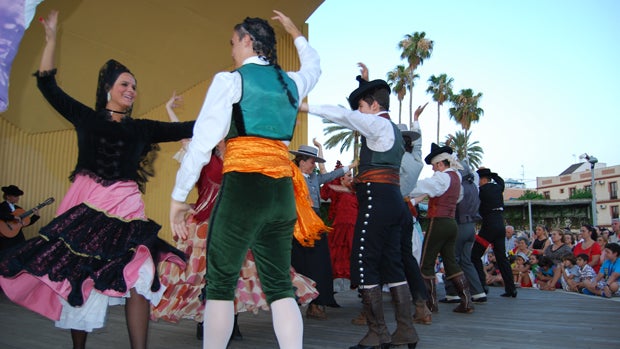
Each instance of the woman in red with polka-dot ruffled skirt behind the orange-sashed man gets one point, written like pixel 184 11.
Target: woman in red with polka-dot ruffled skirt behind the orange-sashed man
pixel 184 295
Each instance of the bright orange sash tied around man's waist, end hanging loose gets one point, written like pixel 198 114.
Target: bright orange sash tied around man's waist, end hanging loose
pixel 270 157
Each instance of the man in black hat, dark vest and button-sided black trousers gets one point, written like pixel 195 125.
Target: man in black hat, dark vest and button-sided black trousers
pixel 376 256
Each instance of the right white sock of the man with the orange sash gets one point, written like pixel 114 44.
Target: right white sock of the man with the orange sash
pixel 287 323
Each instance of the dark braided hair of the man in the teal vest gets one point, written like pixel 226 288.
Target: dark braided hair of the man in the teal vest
pixel 264 44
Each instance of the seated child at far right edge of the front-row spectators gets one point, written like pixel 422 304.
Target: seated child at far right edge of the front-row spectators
pixel 606 282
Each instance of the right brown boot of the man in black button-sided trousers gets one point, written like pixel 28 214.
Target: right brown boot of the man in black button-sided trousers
pixel 405 332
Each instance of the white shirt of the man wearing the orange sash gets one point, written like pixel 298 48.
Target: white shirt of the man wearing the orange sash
pixel 214 119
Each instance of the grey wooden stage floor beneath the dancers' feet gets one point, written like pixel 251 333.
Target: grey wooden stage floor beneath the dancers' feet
pixel 535 319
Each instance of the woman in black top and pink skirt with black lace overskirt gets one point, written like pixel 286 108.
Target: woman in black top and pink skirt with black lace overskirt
pixel 100 249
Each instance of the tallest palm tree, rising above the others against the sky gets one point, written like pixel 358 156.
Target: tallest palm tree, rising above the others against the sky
pixel 415 49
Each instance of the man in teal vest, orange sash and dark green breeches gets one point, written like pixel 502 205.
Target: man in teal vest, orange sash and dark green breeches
pixel 255 109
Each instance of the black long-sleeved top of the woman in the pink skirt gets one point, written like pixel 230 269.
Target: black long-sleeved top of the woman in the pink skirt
pixel 110 151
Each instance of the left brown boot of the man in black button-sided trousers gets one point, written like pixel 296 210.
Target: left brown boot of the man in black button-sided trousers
pixel 378 334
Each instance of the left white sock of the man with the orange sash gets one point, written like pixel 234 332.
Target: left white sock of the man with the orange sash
pixel 219 318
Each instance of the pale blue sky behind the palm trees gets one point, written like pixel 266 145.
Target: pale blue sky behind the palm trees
pixel 547 70
